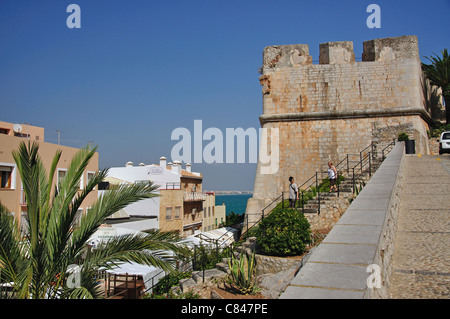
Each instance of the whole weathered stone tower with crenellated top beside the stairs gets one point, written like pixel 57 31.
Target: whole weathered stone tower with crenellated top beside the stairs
pixel 324 111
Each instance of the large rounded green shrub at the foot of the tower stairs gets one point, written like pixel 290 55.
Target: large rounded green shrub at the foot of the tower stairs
pixel 285 232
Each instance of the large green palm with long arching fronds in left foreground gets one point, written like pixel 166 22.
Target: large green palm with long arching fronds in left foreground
pixel 37 263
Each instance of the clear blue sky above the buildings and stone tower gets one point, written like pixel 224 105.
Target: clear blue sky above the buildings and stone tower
pixel 138 69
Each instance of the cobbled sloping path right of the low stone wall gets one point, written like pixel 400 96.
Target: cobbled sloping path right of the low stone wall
pixel 421 261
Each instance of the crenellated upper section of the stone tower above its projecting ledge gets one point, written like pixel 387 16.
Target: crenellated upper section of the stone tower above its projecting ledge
pixel 388 78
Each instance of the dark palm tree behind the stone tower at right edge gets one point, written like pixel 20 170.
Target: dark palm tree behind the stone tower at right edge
pixel 438 72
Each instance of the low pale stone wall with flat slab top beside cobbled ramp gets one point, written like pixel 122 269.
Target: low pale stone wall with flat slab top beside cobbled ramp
pixel 363 236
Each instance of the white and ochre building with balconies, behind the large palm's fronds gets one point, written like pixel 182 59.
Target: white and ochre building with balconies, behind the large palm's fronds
pixel 179 205
